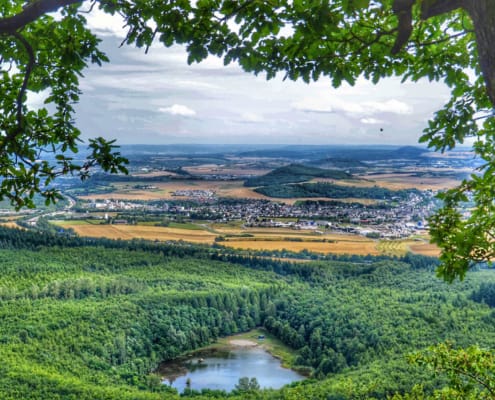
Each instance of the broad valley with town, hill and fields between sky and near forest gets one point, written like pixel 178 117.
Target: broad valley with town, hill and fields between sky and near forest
pixel 302 199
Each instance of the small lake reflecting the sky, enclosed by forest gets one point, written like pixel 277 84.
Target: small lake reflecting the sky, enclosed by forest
pixel 222 370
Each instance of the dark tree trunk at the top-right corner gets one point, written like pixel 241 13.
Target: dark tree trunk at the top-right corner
pixel 482 12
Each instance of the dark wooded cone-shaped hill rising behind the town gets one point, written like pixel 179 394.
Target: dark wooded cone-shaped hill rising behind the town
pixel 295 173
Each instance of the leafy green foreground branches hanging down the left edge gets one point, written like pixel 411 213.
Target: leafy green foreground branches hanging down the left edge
pixel 41 54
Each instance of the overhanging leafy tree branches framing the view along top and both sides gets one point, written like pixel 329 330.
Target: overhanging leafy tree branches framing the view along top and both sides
pixel 440 40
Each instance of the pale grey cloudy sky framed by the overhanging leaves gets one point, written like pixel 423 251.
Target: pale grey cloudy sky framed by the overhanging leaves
pixel 158 98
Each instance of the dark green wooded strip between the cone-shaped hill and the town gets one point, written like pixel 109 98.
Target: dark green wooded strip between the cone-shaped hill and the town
pixel 323 189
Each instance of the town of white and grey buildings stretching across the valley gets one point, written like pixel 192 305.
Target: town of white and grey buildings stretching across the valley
pixel 385 219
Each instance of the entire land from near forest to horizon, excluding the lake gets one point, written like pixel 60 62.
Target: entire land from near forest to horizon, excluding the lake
pixel 132 272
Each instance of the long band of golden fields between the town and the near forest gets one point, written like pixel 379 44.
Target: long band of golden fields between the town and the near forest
pixel 253 238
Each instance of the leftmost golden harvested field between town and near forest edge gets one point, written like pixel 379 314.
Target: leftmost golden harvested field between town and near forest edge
pixel 141 232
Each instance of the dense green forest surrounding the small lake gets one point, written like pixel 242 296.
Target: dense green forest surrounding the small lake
pixel 91 319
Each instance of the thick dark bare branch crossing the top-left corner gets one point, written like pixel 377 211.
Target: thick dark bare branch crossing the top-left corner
pixel 31 13
